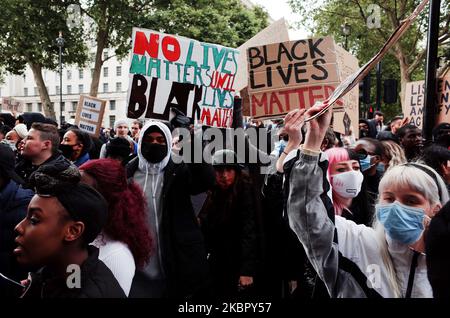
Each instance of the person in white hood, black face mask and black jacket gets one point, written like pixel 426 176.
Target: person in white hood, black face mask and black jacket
pixel 178 267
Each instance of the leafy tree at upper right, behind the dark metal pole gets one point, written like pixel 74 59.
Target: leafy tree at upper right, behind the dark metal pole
pixel 405 60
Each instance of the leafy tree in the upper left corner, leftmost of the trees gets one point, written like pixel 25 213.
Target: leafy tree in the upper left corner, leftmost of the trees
pixel 29 37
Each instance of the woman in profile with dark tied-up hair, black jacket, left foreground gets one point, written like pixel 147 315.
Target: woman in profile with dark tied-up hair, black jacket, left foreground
pixel 63 217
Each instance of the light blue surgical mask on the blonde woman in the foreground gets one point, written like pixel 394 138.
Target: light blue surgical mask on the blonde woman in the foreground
pixel 402 223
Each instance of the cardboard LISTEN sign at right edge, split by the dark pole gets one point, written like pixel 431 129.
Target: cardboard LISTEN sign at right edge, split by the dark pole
pixel 414 101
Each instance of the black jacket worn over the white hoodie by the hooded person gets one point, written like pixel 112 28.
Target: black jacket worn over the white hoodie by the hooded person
pixel 183 248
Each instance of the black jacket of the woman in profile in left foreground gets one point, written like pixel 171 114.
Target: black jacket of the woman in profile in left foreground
pixel 96 281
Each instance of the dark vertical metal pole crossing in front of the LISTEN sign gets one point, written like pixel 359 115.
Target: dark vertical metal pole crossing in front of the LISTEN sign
pixel 430 108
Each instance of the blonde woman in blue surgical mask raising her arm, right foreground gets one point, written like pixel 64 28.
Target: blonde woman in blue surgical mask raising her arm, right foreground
pixel 386 260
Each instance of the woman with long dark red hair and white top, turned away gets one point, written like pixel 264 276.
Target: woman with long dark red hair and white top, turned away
pixel 125 242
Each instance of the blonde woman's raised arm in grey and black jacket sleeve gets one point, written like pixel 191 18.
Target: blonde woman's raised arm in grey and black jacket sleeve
pixel 307 212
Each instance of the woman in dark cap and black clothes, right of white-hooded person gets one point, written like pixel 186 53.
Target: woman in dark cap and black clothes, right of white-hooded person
pixel 229 223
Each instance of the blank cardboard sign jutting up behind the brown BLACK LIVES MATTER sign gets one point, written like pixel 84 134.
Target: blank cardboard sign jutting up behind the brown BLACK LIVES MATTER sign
pixel 274 33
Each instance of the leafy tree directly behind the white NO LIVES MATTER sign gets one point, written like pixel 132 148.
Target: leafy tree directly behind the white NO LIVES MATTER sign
pixel 225 22
